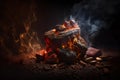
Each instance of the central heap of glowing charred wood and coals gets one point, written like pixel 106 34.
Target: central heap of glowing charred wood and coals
pixel 65 40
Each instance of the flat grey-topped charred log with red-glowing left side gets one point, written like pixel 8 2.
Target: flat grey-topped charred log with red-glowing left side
pixel 55 38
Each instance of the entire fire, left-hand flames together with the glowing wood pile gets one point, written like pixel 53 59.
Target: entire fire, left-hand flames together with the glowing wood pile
pixel 62 42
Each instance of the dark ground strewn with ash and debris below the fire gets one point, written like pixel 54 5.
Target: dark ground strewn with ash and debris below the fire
pixel 101 68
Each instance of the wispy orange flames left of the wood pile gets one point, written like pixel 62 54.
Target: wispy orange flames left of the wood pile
pixel 29 41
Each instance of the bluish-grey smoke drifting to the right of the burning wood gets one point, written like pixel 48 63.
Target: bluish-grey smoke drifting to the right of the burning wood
pixel 98 20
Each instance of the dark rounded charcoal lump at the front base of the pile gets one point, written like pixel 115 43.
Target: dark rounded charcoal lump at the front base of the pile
pixel 66 56
